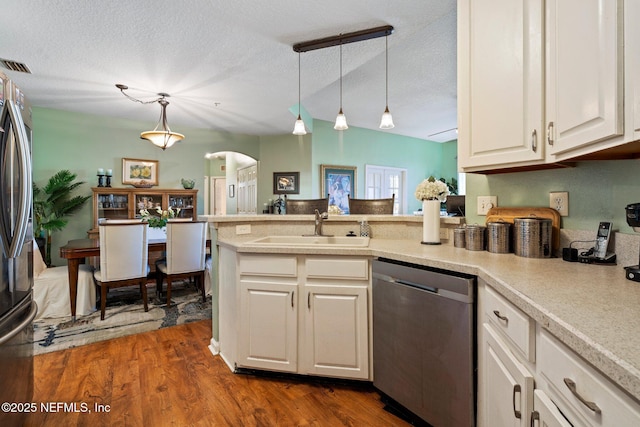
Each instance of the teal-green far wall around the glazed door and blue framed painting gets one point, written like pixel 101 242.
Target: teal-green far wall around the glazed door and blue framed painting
pixel 359 147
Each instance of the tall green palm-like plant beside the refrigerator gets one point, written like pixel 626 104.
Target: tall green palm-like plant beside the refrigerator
pixel 52 204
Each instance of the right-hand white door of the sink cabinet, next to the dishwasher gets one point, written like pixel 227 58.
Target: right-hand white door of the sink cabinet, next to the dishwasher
pixel 336 333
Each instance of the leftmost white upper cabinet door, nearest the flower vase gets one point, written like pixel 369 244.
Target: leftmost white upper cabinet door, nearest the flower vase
pixel 500 83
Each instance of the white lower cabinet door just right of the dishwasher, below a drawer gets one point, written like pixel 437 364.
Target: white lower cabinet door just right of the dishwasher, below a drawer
pixel 506 385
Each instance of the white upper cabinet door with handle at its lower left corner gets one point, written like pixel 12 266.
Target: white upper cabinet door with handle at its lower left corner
pixel 584 75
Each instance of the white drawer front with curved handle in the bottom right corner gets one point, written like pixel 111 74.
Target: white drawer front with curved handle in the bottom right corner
pixel 563 370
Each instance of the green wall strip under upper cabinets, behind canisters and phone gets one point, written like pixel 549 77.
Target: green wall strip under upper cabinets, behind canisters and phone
pixel 598 191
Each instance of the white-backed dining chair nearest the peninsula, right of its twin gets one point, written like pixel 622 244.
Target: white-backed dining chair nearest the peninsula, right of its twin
pixel 185 255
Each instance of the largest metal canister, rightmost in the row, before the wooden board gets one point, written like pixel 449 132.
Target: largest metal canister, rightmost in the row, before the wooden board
pixel 532 237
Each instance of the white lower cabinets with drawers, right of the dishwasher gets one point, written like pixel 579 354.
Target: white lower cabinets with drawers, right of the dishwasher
pixel 527 377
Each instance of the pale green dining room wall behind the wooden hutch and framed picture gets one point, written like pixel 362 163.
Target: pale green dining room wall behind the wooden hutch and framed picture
pixel 83 143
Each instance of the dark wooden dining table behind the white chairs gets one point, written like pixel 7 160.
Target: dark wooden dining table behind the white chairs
pixel 76 251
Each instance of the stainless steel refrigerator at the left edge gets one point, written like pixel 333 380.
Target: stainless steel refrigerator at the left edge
pixel 17 308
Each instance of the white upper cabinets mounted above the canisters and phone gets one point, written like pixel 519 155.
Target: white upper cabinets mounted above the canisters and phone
pixel 545 82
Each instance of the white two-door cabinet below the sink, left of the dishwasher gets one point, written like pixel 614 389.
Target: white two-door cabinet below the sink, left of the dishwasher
pixel 304 314
